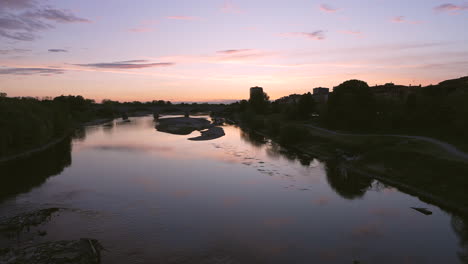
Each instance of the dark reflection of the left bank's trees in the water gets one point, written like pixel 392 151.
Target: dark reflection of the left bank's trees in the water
pixel 22 175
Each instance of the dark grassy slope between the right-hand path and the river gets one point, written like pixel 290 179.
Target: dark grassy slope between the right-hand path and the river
pixel 432 171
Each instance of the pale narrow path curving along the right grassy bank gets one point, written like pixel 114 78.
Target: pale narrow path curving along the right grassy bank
pixel 444 145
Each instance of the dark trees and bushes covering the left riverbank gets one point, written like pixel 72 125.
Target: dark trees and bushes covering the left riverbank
pixel 27 123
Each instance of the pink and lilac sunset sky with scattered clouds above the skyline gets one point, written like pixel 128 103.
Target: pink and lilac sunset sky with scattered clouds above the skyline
pixel 213 50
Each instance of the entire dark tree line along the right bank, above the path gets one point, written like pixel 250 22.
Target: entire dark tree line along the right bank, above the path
pixel 436 110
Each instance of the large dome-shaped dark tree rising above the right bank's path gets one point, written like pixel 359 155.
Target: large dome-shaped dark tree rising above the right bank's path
pixel 351 106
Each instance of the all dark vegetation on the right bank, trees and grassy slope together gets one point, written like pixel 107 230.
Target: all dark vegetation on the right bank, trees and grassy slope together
pixel 437 111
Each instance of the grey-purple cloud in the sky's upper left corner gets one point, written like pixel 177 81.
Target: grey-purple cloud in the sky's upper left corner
pixel 22 19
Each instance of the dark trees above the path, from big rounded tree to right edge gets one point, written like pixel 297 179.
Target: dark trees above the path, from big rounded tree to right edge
pixel 437 111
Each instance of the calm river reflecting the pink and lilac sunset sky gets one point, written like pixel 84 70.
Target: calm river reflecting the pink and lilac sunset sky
pixel 153 197
